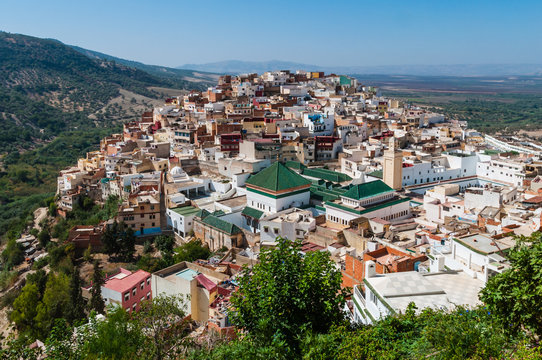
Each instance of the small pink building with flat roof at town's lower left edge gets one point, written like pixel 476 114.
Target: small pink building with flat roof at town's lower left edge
pixel 127 289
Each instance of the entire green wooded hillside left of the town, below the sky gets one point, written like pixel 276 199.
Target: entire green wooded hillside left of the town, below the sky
pixel 55 104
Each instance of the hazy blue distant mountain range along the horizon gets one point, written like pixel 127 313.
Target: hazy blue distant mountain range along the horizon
pixel 239 66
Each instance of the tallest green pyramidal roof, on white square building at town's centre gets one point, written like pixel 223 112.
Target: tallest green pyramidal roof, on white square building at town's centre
pixel 277 177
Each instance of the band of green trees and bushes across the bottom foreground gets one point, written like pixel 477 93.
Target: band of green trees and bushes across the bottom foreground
pixel 499 329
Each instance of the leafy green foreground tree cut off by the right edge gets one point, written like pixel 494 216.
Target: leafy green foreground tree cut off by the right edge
pixel 515 295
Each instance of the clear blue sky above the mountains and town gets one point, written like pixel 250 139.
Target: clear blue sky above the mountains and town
pixel 316 32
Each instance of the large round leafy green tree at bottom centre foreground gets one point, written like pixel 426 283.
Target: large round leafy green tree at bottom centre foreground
pixel 287 294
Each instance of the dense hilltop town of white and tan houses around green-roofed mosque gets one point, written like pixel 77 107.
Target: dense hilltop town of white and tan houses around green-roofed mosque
pixel 412 206
